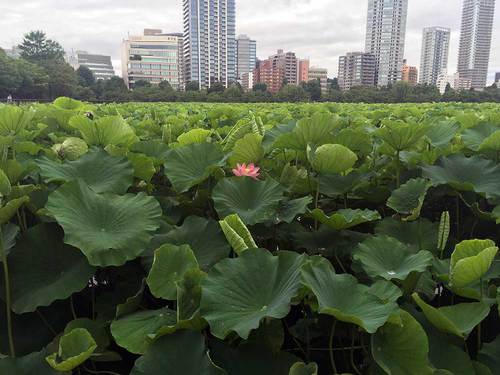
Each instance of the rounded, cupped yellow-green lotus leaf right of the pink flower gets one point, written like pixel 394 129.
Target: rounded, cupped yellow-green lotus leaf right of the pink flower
pixel 333 158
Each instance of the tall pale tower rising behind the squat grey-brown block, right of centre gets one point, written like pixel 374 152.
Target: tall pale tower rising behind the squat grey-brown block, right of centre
pixel 385 38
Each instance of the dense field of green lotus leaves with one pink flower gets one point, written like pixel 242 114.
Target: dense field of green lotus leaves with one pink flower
pixel 274 239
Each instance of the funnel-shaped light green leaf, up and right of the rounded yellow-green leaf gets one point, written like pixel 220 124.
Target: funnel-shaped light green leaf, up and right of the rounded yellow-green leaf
pixel 400 135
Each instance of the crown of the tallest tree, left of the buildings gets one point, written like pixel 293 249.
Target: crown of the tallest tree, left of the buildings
pixel 37 48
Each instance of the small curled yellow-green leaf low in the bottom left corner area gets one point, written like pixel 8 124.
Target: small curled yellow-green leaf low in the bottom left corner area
pixel 75 348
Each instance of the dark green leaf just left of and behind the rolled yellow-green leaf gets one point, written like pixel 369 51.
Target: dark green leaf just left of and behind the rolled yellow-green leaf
pixel 204 237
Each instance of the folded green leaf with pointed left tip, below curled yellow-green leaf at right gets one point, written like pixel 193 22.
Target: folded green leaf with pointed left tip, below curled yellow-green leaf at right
pixel 459 319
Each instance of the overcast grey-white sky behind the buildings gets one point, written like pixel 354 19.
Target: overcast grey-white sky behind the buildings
pixel 321 30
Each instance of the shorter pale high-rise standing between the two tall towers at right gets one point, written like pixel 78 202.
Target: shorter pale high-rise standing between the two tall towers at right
pixel 434 56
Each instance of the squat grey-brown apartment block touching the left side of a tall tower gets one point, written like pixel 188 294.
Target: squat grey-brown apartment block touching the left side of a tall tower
pixel 356 69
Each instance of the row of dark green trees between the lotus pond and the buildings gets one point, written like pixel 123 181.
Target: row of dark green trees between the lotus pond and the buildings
pixel 42 73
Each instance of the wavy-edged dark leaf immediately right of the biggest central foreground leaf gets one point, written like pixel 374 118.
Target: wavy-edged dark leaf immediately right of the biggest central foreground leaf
pixel 344 298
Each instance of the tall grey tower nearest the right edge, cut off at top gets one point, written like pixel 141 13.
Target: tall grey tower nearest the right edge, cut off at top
pixel 475 41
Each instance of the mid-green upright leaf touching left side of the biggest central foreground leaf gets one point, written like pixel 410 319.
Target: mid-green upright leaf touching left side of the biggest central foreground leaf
pixel 169 266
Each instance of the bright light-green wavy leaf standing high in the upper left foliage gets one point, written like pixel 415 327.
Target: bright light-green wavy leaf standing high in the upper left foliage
pixel 110 130
